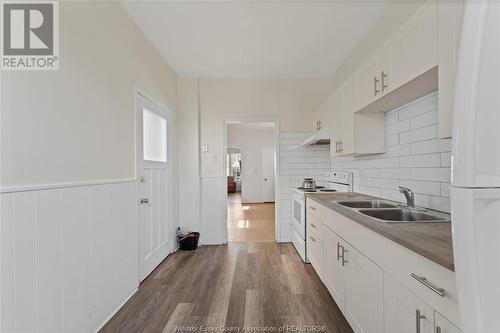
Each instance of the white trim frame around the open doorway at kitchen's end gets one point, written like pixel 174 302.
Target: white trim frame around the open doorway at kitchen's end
pixel 277 198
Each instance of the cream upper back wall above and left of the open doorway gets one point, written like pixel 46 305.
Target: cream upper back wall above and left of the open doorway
pixel 291 100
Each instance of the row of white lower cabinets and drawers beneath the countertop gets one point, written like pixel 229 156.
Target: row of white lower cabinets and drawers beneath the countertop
pixel 369 277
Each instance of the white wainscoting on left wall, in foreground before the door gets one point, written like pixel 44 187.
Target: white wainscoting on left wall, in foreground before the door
pixel 69 256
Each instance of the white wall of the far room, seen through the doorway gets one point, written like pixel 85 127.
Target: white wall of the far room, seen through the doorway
pixel 251 138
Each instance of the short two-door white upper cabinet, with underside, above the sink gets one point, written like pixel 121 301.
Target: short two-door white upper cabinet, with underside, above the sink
pixel 401 69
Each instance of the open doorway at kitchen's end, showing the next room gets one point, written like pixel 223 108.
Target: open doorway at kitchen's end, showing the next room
pixel 251 170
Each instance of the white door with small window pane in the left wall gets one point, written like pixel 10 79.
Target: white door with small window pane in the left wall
pixel 153 123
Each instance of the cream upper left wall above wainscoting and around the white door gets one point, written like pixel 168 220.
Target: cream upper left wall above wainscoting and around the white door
pixel 77 124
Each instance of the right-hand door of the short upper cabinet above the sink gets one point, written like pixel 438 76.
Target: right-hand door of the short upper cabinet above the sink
pixel 413 48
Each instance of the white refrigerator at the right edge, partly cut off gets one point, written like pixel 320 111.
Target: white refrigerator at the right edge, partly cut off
pixel 475 190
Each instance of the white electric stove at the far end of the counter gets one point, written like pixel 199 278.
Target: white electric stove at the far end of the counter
pixel 336 181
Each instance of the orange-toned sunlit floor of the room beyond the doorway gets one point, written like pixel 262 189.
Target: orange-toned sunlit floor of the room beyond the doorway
pixel 249 222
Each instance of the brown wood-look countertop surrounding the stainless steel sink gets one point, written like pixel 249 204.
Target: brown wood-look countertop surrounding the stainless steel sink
pixel 431 240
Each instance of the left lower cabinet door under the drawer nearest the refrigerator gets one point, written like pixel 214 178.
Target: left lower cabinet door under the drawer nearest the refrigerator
pixel 401 308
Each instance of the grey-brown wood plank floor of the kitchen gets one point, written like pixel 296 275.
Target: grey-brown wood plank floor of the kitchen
pixel 261 284
